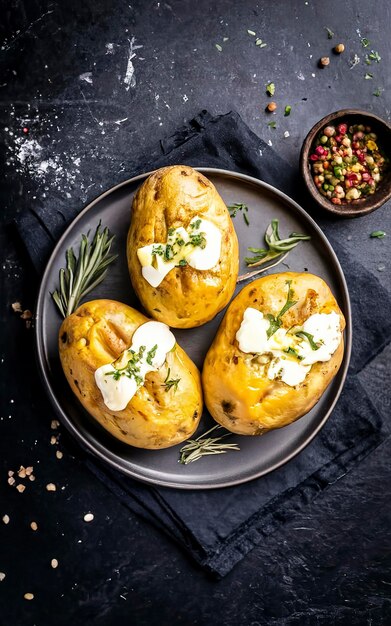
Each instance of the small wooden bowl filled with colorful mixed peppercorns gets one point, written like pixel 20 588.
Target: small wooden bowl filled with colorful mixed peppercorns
pixel 345 162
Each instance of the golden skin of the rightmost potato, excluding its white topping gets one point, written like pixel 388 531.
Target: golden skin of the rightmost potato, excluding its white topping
pixel 237 392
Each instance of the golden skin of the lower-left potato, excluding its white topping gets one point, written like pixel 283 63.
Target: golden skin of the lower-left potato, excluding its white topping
pixel 97 333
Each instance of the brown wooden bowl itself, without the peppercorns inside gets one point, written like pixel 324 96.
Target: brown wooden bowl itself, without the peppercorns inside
pixel 361 206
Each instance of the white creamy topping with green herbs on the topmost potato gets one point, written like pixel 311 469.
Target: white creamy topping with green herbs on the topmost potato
pixel 199 246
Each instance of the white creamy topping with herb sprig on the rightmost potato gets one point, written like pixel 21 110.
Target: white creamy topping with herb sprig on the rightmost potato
pixel 291 354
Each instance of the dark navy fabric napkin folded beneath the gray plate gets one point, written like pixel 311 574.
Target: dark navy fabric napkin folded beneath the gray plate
pixel 218 528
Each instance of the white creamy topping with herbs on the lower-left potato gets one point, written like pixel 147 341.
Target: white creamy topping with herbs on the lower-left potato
pixel 117 382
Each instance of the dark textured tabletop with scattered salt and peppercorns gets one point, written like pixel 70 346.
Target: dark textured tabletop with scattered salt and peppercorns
pixel 95 84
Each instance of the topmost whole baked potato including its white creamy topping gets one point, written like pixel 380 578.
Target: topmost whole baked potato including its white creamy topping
pixel 174 200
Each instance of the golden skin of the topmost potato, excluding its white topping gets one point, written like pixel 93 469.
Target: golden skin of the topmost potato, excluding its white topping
pixel 171 197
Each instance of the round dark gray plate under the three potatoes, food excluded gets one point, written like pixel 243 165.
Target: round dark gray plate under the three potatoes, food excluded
pixel 257 455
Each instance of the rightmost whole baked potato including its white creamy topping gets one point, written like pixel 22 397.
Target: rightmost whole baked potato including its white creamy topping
pixel 270 363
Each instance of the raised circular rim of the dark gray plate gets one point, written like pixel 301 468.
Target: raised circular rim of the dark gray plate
pixel 94 448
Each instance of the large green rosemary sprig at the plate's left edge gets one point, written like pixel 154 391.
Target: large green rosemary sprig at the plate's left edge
pixel 85 272
